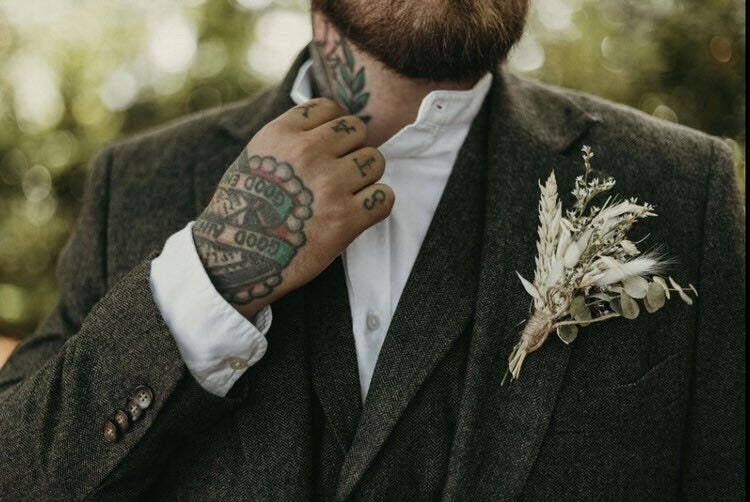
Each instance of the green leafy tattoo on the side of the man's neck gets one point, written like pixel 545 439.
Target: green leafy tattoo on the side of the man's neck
pixel 336 73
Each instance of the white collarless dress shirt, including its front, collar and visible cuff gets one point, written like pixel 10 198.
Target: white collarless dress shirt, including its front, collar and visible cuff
pixel 218 344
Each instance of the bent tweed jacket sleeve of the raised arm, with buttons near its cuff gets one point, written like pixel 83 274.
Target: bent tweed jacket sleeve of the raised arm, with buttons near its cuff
pixel 61 386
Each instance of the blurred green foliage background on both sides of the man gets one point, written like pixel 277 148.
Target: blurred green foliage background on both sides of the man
pixel 76 74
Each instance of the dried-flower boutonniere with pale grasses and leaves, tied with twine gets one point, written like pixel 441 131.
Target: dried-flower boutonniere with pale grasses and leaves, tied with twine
pixel 587 270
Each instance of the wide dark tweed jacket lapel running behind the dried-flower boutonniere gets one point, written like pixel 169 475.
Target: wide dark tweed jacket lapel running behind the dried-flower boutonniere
pixel 501 428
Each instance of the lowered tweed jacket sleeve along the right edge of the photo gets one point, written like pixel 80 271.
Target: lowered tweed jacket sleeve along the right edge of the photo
pixel 714 450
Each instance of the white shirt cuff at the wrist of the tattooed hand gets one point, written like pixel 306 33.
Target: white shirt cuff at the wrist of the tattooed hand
pixel 216 342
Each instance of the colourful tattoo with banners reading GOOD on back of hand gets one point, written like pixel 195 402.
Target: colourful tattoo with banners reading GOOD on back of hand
pixel 253 227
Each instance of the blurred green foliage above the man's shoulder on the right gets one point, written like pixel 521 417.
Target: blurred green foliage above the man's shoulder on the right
pixel 680 60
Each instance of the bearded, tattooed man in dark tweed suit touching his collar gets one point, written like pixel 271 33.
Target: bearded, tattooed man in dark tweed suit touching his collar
pixel 336 323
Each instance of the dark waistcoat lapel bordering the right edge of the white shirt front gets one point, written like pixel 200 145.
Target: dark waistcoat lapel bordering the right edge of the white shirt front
pixel 436 307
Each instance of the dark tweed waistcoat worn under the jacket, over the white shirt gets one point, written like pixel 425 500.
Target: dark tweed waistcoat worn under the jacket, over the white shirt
pixel 421 441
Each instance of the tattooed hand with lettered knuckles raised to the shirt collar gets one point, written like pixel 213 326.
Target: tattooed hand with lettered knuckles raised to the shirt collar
pixel 298 194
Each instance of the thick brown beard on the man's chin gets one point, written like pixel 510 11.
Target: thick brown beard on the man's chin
pixel 435 40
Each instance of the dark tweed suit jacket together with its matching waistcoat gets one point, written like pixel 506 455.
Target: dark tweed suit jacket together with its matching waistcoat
pixel 651 409
